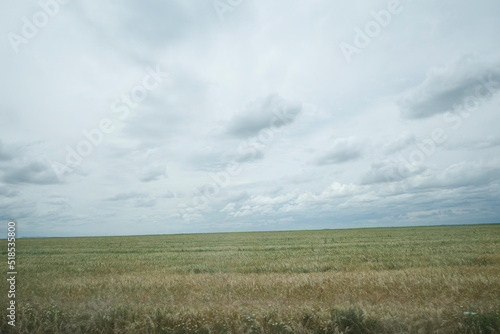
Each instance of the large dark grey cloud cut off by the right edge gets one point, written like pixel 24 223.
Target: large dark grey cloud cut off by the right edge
pixel 466 80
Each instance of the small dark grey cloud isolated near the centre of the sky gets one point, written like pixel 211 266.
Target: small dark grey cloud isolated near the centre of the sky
pixel 269 112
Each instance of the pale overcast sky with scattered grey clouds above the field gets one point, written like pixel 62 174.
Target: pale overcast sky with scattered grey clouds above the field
pixel 155 117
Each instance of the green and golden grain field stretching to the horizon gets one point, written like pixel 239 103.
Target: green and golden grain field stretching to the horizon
pixel 383 280
